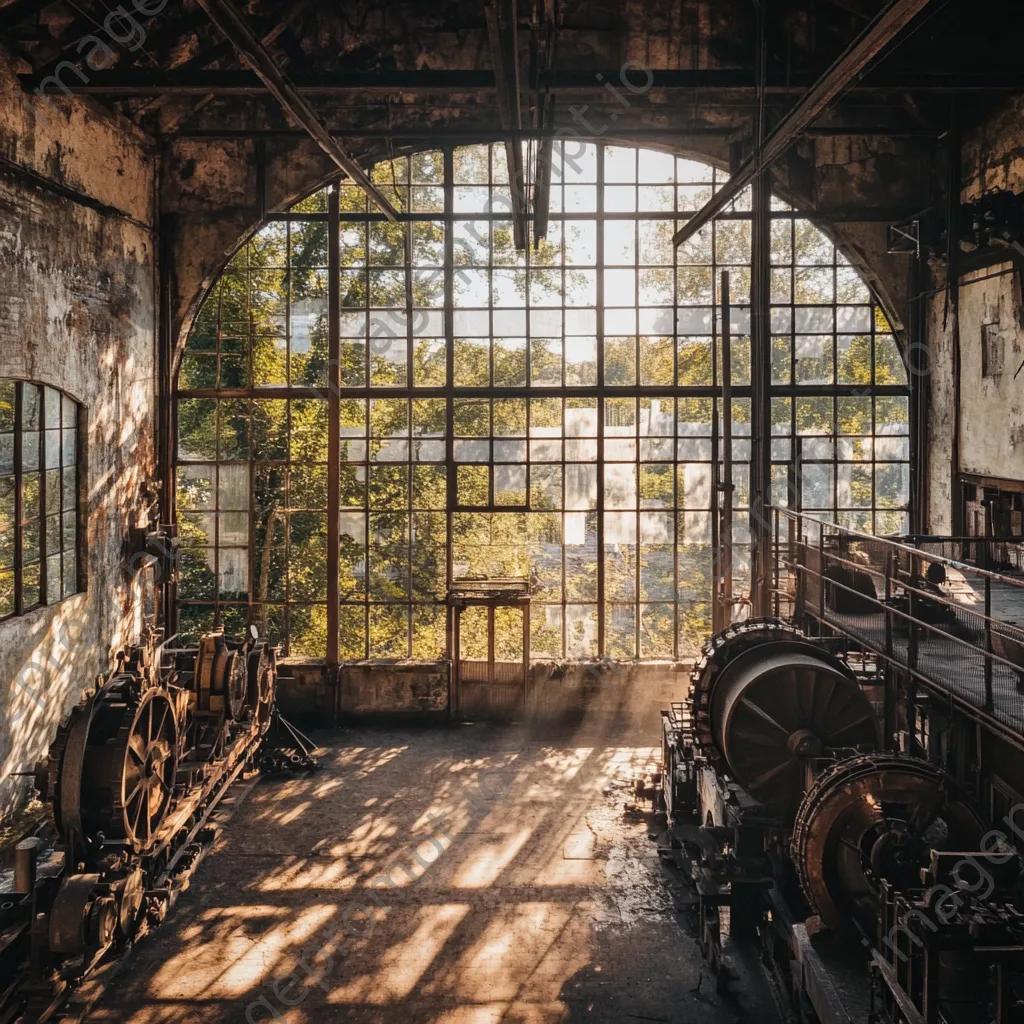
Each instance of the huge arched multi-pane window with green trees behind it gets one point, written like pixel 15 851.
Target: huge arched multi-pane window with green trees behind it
pixel 546 414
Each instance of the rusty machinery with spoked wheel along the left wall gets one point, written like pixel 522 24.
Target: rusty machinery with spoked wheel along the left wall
pixel 132 778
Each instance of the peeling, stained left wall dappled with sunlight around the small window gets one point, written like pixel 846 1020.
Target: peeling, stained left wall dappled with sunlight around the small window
pixel 77 312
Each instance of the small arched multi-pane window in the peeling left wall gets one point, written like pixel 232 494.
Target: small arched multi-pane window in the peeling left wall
pixel 39 497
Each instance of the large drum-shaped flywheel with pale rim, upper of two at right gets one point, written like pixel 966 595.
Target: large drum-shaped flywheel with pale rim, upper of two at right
pixel 765 699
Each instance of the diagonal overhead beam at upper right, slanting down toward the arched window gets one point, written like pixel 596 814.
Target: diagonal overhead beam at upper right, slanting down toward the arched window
pixel 873 41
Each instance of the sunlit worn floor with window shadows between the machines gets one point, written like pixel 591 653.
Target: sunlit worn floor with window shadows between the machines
pixel 472 874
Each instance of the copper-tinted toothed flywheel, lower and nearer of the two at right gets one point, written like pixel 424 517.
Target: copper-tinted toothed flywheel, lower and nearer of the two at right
pixel 874 818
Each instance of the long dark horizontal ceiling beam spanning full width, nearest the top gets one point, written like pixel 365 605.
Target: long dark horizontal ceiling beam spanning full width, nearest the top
pixel 145 82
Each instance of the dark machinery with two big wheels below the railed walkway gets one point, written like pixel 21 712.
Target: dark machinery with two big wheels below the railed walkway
pixel 788 810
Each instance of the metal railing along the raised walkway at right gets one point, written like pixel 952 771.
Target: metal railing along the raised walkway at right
pixel 947 621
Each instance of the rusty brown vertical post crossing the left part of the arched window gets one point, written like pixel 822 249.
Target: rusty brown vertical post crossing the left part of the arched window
pixel 334 430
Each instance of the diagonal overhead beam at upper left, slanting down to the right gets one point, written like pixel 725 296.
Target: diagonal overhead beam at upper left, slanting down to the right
pixel 234 27
